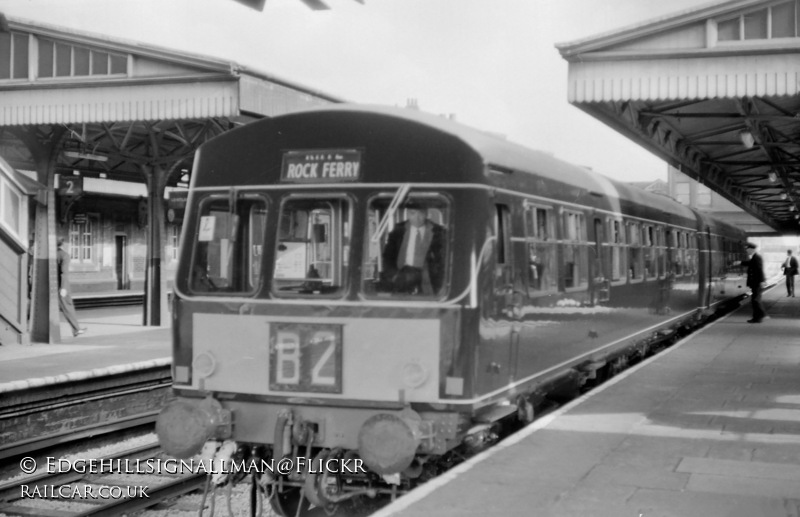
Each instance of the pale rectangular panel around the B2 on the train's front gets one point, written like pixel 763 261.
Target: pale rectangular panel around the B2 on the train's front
pixel 329 364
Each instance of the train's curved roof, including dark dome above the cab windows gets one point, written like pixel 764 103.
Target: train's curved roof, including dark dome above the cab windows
pixel 426 137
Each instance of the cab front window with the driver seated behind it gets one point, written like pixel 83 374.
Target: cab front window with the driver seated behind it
pixel 406 252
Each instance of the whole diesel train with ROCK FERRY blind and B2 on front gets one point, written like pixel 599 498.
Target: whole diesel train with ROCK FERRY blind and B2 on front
pixel 375 289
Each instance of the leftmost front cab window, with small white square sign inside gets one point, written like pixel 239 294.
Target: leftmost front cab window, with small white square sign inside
pixel 229 243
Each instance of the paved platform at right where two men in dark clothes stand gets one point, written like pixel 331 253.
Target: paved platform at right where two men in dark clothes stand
pixel 710 427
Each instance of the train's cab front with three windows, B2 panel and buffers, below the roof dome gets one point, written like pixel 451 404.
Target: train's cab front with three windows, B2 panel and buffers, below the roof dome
pixel 316 326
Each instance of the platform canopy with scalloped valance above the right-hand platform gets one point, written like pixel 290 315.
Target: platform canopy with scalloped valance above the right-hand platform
pixel 713 91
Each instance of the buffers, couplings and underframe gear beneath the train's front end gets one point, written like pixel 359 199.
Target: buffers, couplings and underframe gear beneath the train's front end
pixel 395 452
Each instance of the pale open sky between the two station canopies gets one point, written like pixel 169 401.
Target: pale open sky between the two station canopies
pixel 492 64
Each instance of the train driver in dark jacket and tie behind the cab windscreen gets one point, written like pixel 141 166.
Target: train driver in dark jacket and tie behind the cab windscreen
pixel 413 257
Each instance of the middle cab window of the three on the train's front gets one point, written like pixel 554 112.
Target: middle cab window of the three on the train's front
pixel 313 246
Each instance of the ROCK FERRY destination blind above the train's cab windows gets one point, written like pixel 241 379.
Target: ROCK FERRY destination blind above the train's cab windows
pixel 321 166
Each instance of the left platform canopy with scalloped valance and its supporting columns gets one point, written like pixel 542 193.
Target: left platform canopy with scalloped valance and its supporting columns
pixel 74 103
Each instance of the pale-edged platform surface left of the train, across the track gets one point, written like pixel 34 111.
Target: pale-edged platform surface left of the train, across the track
pixel 115 340
